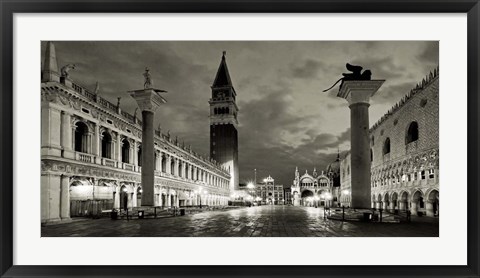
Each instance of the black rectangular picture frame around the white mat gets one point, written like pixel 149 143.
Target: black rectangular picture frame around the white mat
pixel 10 7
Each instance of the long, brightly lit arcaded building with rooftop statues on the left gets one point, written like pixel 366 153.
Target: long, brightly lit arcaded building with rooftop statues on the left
pixel 91 155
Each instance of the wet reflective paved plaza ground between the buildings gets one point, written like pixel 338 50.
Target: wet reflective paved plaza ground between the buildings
pixel 263 221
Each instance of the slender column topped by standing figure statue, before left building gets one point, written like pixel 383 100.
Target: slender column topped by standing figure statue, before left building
pixel 148 100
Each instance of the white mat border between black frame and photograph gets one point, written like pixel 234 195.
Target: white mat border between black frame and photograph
pixel 449 248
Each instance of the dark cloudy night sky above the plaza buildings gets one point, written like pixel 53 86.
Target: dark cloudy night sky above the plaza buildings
pixel 284 120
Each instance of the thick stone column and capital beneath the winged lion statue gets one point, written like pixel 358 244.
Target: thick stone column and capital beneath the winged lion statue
pixel 358 94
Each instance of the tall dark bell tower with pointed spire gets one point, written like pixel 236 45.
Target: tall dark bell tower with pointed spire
pixel 224 123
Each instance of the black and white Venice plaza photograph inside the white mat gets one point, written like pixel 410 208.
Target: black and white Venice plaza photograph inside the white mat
pixel 239 139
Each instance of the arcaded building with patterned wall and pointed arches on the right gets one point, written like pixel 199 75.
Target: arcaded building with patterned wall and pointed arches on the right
pixel 404 153
